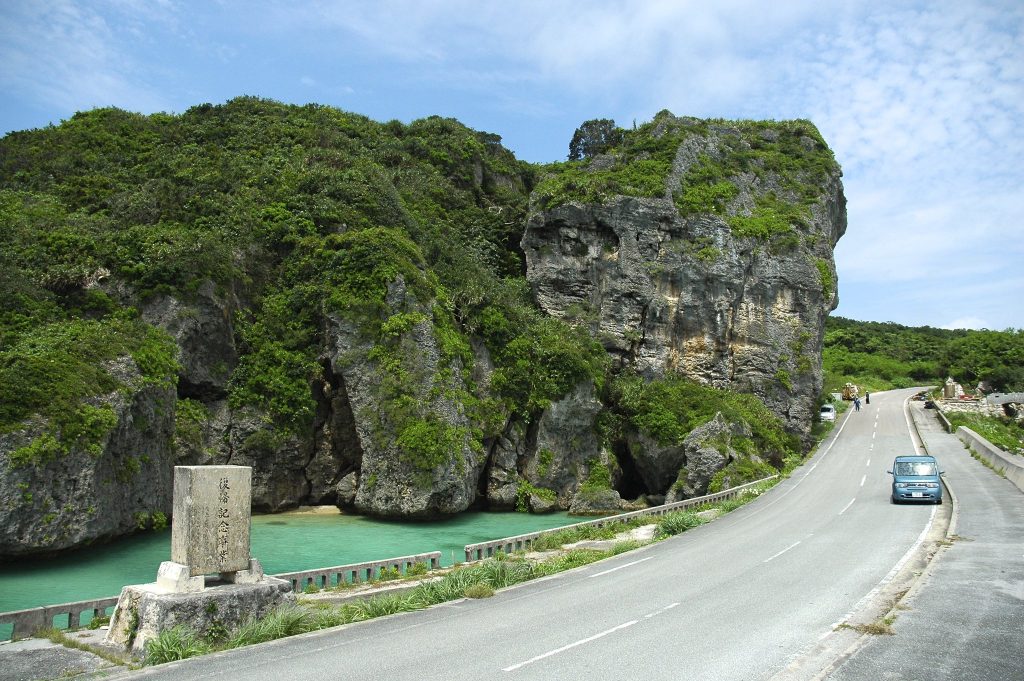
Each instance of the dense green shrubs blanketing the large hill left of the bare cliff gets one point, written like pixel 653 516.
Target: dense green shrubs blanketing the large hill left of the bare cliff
pixel 306 212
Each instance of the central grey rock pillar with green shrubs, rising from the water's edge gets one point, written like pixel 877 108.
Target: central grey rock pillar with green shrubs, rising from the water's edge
pixel 416 458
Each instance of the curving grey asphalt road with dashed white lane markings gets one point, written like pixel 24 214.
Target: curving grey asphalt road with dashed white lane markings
pixel 756 594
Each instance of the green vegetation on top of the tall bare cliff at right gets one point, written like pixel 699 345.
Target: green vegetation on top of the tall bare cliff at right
pixel 790 159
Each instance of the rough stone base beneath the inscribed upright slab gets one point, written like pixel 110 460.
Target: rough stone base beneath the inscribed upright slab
pixel 147 610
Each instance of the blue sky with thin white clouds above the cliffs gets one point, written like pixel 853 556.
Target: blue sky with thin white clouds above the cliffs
pixel 923 103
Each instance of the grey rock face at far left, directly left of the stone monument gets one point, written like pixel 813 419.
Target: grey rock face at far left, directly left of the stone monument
pixel 118 486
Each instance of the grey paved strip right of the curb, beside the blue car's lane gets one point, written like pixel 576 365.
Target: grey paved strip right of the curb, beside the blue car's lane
pixel 965 619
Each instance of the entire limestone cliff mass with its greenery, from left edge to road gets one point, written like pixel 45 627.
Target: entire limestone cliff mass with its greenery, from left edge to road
pixel 404 321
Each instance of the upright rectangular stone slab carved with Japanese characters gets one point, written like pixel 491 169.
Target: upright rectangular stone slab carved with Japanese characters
pixel 211 523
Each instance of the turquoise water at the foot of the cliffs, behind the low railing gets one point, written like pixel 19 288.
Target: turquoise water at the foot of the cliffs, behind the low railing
pixel 283 543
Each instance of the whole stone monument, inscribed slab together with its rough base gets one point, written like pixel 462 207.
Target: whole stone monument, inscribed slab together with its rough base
pixel 211 584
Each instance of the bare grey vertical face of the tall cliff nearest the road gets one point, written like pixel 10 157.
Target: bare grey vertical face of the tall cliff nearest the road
pixel 671 292
